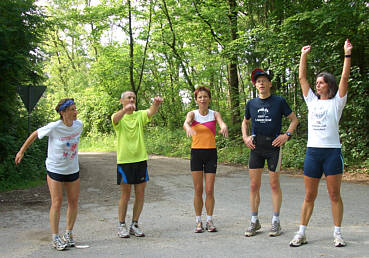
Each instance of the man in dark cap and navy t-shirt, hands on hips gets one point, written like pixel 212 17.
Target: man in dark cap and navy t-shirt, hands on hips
pixel 265 113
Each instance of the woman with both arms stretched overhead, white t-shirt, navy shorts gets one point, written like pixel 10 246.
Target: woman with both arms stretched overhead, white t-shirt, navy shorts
pixel 323 153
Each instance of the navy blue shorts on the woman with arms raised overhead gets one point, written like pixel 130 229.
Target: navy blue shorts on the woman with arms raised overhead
pixel 323 160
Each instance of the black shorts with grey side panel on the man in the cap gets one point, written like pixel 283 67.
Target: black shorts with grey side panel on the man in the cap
pixel 265 151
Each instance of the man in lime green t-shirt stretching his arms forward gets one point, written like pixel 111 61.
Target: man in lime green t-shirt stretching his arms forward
pixel 132 158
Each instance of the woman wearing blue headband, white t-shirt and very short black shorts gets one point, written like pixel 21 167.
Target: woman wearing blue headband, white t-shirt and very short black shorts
pixel 62 167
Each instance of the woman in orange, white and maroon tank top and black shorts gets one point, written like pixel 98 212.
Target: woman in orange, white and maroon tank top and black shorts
pixel 201 125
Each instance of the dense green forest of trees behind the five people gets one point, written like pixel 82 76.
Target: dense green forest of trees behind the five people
pixel 92 50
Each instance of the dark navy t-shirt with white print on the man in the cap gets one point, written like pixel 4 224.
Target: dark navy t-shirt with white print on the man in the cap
pixel 266 115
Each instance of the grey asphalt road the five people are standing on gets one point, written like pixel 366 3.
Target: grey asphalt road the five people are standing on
pixel 168 217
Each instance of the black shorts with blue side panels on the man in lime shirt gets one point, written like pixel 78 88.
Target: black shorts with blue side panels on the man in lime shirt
pixel 132 173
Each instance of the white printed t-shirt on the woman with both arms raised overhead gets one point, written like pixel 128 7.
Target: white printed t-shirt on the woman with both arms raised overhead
pixel 323 119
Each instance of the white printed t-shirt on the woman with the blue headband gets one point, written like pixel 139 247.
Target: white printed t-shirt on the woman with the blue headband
pixel 62 152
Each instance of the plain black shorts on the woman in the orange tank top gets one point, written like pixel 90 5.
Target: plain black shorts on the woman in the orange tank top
pixel 204 160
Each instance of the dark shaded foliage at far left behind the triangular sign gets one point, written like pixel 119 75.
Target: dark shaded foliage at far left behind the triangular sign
pixel 21 29
